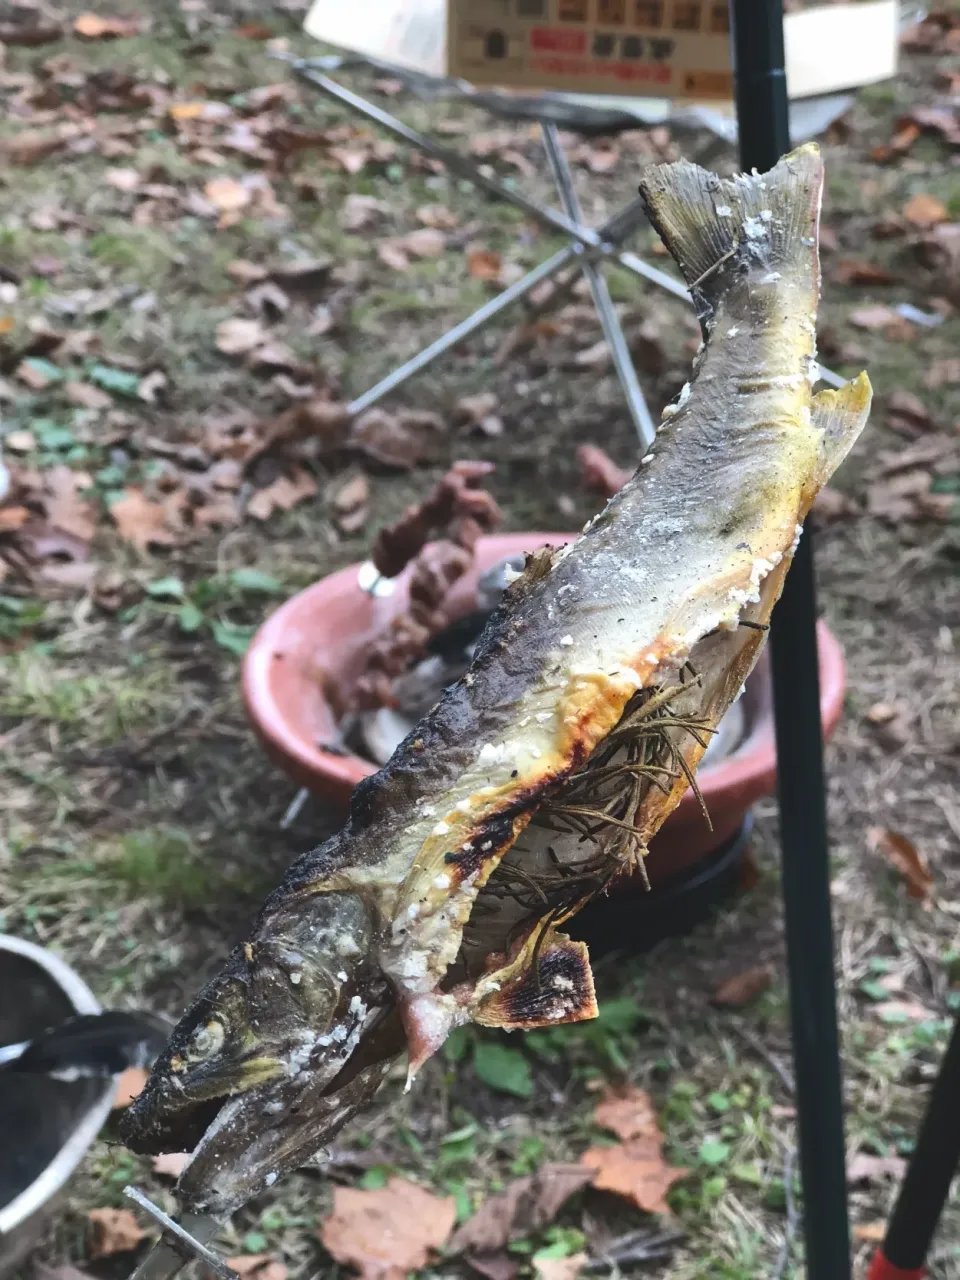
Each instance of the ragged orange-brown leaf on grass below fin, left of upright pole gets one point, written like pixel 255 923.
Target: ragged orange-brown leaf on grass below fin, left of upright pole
pixel 636 1168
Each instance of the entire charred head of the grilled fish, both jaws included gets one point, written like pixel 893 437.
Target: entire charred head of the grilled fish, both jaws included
pixel 275 1055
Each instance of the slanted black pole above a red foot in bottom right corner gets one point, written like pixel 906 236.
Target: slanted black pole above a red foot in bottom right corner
pixel 930 1173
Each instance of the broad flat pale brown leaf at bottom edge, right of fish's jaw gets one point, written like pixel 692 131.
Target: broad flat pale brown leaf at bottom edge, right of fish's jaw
pixel 390 1232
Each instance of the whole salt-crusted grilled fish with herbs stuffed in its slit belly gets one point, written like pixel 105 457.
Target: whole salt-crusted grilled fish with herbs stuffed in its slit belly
pixel 444 843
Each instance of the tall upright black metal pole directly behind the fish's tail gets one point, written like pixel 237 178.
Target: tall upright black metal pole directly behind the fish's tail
pixel 765 136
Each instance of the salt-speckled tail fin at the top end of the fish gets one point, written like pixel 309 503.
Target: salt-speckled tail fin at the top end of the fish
pixel 707 222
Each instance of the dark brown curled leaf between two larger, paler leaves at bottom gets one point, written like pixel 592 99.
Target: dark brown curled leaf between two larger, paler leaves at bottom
pixel 525 1206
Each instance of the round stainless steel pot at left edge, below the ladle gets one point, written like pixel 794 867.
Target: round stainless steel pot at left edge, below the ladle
pixel 47 1127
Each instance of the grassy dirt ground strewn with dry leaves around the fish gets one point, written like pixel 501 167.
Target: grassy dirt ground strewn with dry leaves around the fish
pixel 156 193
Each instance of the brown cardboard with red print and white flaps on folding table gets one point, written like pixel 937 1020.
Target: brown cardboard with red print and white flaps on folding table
pixel 666 49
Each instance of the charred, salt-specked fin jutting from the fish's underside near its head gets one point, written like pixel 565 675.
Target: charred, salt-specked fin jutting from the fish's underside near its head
pixel 542 986
